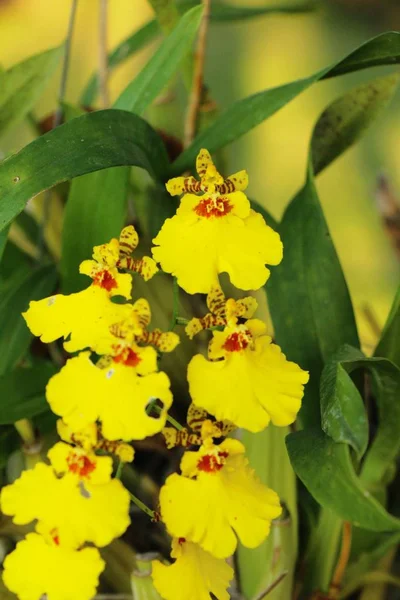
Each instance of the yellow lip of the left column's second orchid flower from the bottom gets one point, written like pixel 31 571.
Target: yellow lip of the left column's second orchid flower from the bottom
pixel 74 504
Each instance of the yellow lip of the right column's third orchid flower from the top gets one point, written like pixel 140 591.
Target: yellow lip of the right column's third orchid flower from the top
pixel 217 498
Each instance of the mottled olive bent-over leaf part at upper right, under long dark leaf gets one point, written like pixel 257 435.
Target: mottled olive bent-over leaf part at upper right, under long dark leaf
pixel 344 121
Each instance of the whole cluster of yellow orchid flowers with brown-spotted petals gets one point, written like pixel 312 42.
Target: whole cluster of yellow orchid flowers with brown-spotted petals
pixel 103 392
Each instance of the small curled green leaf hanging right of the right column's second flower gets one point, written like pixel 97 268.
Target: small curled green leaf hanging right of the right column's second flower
pixel 343 413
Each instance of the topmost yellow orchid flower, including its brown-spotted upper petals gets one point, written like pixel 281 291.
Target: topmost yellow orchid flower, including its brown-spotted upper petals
pixel 215 233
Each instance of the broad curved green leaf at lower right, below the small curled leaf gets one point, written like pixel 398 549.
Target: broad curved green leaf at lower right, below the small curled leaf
pixel 325 468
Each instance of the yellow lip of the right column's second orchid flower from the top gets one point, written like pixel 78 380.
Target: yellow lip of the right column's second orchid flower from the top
pixel 247 379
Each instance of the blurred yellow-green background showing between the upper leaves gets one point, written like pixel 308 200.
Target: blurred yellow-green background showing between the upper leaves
pixel 243 58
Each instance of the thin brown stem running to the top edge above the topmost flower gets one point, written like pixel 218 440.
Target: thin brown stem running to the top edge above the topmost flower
pixel 198 77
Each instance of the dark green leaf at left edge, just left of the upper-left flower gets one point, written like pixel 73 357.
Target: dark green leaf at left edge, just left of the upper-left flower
pixel 15 335
